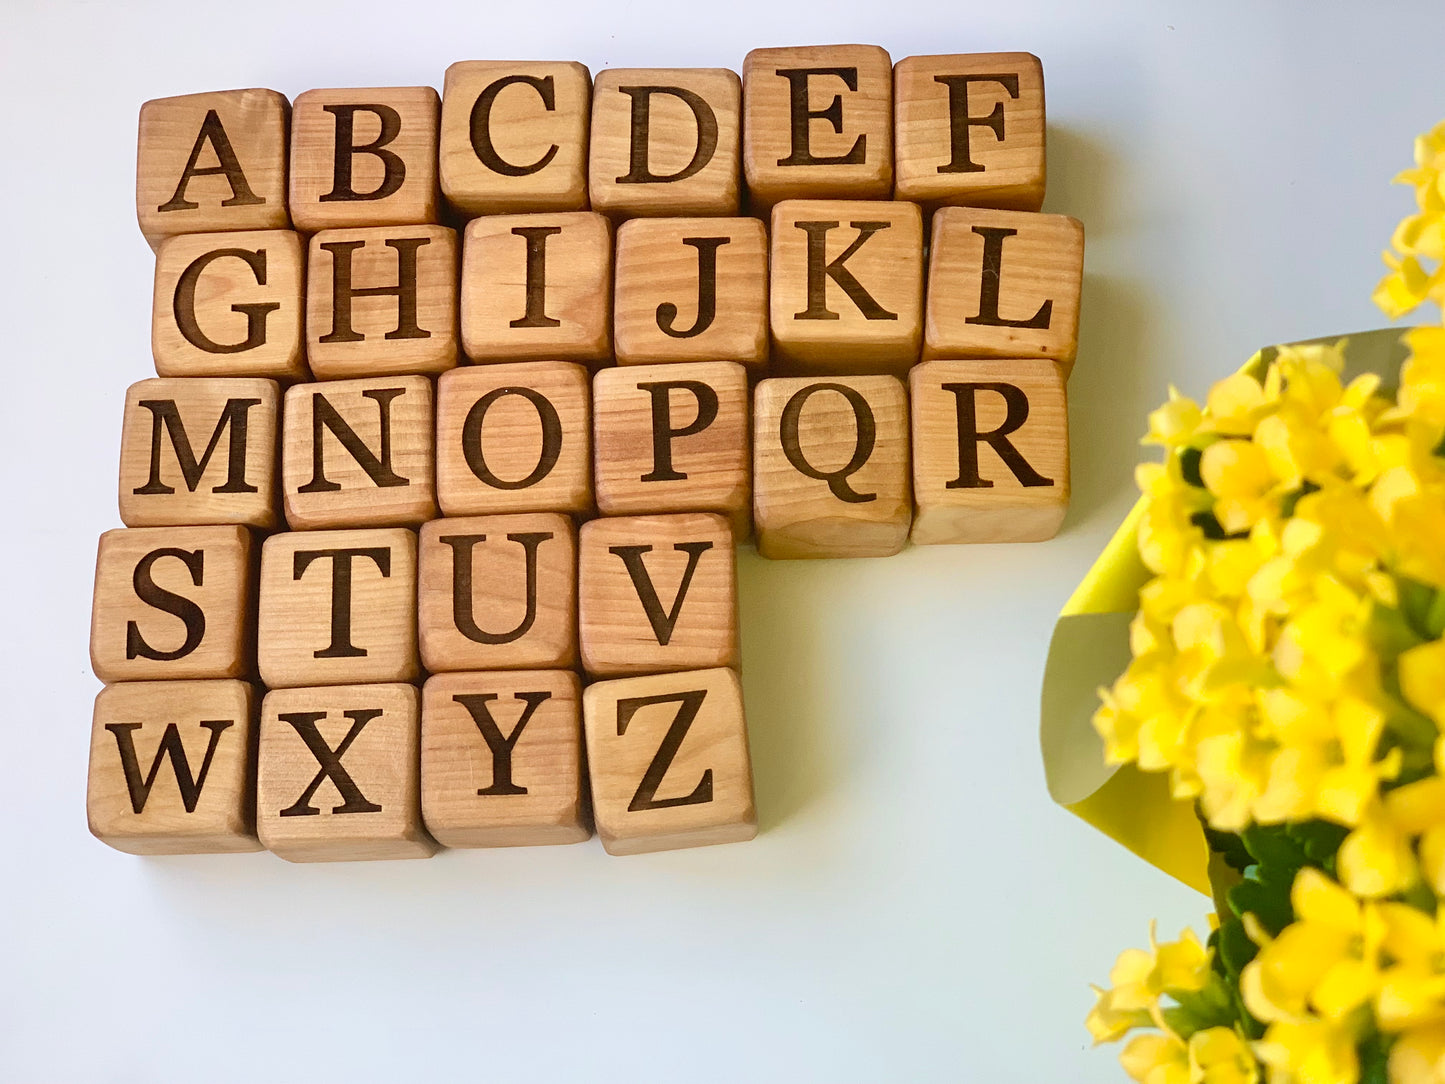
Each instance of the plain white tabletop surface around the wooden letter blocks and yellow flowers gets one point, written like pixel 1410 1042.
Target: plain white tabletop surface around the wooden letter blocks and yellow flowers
pixel 915 910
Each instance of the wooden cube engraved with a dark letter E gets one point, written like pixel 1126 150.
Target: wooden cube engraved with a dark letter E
pixel 819 124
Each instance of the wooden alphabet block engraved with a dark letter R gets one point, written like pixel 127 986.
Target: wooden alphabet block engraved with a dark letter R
pixel 991 452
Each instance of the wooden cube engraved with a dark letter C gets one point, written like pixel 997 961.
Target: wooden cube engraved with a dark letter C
pixel 515 137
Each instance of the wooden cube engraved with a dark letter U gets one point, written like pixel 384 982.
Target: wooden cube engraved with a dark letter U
pixel 499 593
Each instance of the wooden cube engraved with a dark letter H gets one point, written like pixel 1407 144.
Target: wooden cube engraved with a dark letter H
pixel 382 301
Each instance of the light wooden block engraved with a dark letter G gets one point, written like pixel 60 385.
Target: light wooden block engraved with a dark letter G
pixel 229 304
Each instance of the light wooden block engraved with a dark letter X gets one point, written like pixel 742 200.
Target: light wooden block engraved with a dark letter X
pixel 339 774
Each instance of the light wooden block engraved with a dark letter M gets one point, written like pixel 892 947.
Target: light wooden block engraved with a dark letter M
pixel 200 452
